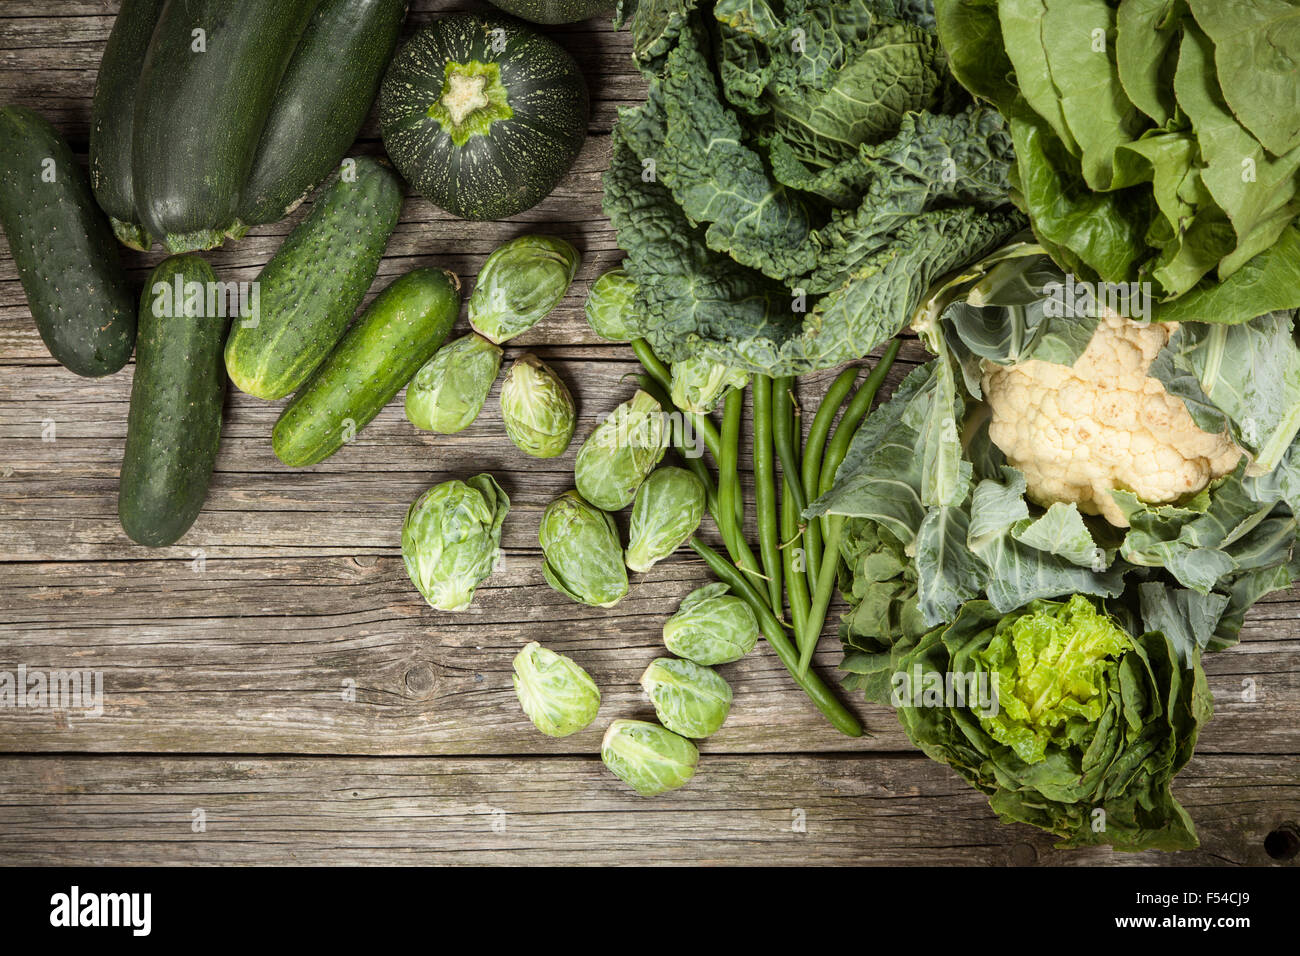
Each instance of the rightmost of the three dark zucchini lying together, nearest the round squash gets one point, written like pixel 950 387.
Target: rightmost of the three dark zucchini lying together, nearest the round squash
pixel 322 103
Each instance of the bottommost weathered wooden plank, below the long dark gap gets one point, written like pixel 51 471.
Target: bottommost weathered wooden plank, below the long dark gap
pixel 856 810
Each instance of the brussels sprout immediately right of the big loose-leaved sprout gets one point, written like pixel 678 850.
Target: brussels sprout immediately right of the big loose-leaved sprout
pixel 580 547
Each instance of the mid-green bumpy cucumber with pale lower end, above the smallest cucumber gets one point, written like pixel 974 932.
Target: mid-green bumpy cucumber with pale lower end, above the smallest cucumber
pixel 311 288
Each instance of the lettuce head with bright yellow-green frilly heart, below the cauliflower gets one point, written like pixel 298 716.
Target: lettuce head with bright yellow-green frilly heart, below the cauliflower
pixel 1063 719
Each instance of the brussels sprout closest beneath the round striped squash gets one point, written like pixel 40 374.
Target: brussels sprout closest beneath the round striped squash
pixel 521 284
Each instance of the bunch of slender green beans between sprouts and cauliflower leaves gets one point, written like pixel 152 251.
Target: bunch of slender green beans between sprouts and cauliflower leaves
pixel 798 561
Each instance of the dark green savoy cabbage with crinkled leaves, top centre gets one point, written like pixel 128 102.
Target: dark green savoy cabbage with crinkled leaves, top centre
pixel 799 176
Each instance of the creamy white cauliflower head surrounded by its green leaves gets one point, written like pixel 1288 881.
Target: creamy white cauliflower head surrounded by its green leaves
pixel 1080 432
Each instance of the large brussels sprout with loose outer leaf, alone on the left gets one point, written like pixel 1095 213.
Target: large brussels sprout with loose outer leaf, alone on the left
pixel 452 539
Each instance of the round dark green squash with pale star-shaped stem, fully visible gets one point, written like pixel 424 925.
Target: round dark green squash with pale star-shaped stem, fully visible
pixel 483 115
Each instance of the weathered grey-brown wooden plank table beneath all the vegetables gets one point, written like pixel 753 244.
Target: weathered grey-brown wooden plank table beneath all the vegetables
pixel 276 690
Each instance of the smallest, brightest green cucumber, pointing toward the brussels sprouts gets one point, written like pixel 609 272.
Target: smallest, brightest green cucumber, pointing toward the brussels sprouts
pixel 396 335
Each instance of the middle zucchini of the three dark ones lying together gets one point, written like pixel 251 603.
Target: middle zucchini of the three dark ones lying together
pixel 206 90
